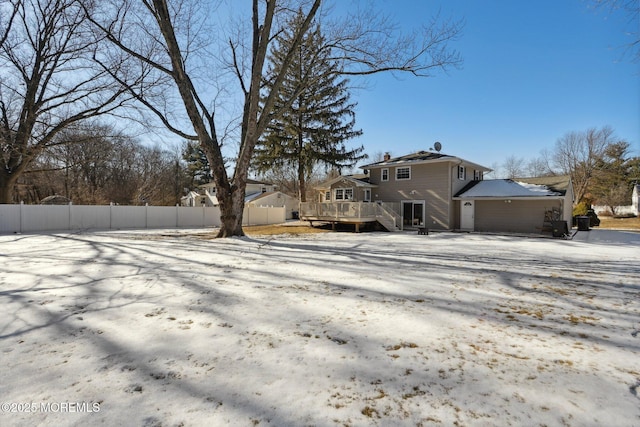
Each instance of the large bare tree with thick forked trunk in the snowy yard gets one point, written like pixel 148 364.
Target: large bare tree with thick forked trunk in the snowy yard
pixel 168 43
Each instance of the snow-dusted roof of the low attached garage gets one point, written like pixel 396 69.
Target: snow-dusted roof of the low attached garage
pixel 506 188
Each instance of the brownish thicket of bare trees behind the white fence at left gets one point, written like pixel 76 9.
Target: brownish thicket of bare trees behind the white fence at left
pixel 97 164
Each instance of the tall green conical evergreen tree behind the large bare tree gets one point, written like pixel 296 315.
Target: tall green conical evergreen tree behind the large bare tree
pixel 317 116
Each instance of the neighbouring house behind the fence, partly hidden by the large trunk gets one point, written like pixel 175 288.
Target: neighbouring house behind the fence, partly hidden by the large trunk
pixel 257 193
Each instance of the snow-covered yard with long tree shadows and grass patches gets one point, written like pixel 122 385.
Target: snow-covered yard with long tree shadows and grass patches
pixel 164 328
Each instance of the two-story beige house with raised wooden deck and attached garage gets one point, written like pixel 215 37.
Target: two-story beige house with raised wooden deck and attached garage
pixel 440 192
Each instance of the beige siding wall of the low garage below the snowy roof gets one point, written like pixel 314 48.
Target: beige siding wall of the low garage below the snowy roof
pixel 519 216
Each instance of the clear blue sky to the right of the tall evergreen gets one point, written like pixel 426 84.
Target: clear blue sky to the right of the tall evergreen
pixel 532 72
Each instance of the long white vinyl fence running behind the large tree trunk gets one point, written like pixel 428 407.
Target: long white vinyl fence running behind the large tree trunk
pixel 32 218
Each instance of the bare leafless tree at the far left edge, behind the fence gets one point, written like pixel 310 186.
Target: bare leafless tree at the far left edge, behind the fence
pixel 47 81
